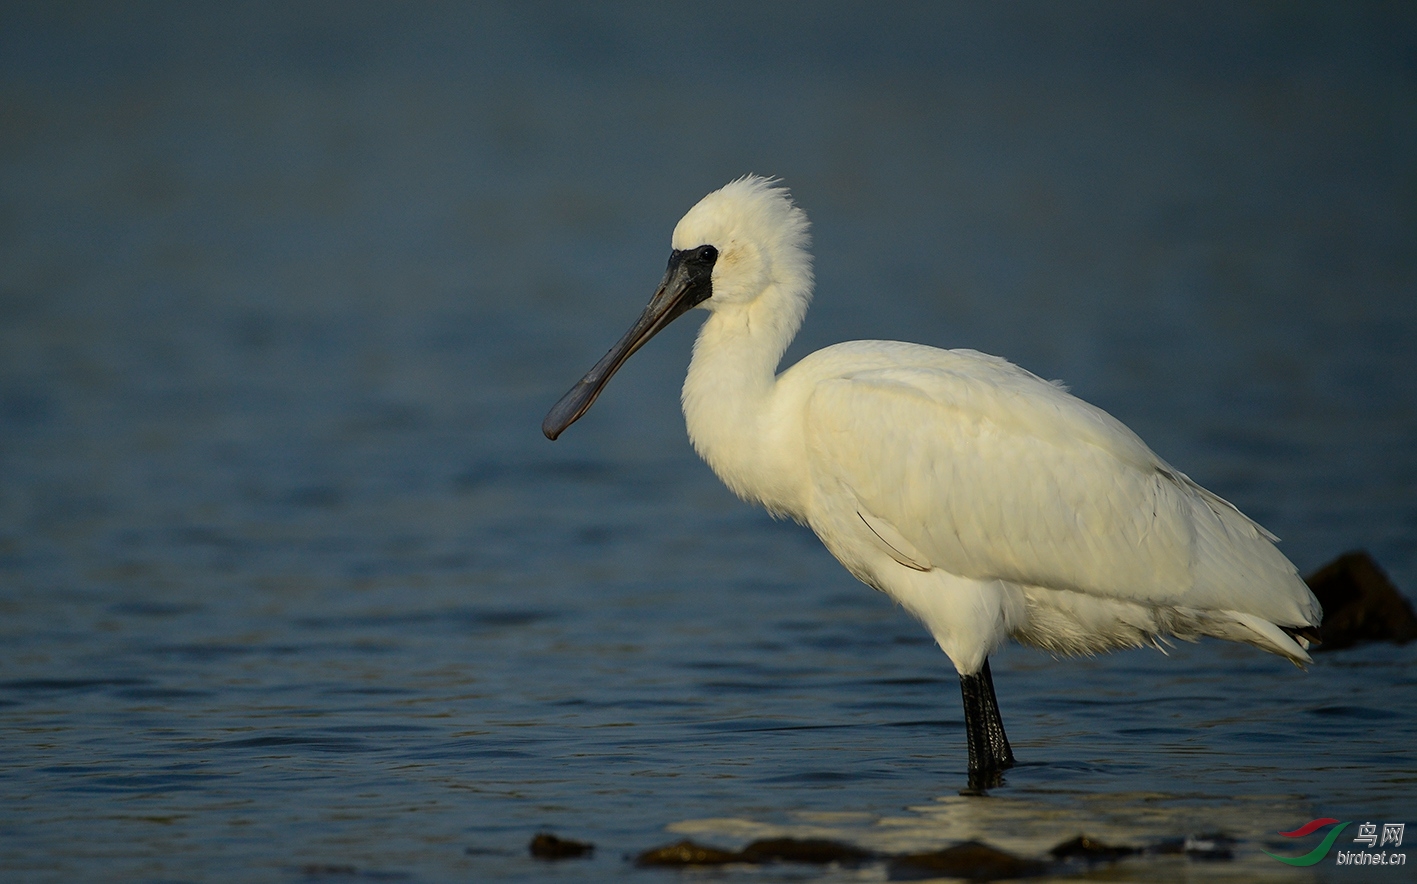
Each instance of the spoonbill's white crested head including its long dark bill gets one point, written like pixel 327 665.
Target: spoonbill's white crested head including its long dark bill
pixel 739 243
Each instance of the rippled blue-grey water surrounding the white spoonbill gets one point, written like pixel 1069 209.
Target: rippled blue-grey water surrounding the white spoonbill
pixel 291 586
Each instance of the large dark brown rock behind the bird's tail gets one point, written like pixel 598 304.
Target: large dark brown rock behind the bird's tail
pixel 1361 604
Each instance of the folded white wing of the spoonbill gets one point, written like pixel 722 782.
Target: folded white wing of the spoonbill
pixel 988 472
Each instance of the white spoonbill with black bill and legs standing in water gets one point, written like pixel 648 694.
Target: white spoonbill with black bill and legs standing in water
pixel 984 499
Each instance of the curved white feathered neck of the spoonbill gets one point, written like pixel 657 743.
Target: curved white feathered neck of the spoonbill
pixel 730 403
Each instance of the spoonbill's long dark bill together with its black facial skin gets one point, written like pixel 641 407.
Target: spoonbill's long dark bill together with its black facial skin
pixel 688 284
